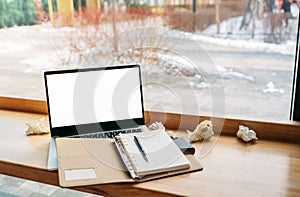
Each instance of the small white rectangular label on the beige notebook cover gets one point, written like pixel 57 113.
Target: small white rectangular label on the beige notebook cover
pixel 80 174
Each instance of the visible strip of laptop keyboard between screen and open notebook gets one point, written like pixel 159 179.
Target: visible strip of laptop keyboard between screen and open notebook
pixel 107 134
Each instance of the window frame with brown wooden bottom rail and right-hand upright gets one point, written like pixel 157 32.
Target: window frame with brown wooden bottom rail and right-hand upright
pixel 278 131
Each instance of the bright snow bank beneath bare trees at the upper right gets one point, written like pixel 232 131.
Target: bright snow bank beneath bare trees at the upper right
pixel 231 35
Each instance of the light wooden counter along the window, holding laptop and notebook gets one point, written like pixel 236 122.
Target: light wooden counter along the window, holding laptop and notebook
pixel 231 167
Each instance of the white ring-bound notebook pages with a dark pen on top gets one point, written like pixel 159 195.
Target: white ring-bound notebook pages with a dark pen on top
pixel 150 153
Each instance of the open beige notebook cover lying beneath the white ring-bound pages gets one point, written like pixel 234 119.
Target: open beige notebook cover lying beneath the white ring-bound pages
pixel 88 161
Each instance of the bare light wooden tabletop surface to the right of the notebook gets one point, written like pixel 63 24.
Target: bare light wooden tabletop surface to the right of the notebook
pixel 235 168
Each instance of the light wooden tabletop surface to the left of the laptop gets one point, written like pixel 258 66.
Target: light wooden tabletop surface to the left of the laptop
pixel 15 146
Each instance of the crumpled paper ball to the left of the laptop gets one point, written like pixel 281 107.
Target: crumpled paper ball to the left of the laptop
pixel 37 127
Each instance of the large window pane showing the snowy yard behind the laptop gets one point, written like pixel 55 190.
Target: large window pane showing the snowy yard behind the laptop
pixel 230 58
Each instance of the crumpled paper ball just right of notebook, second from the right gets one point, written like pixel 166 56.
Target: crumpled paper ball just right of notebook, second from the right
pixel 204 130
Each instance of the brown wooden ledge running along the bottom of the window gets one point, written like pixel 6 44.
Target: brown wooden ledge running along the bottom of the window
pixel 285 131
